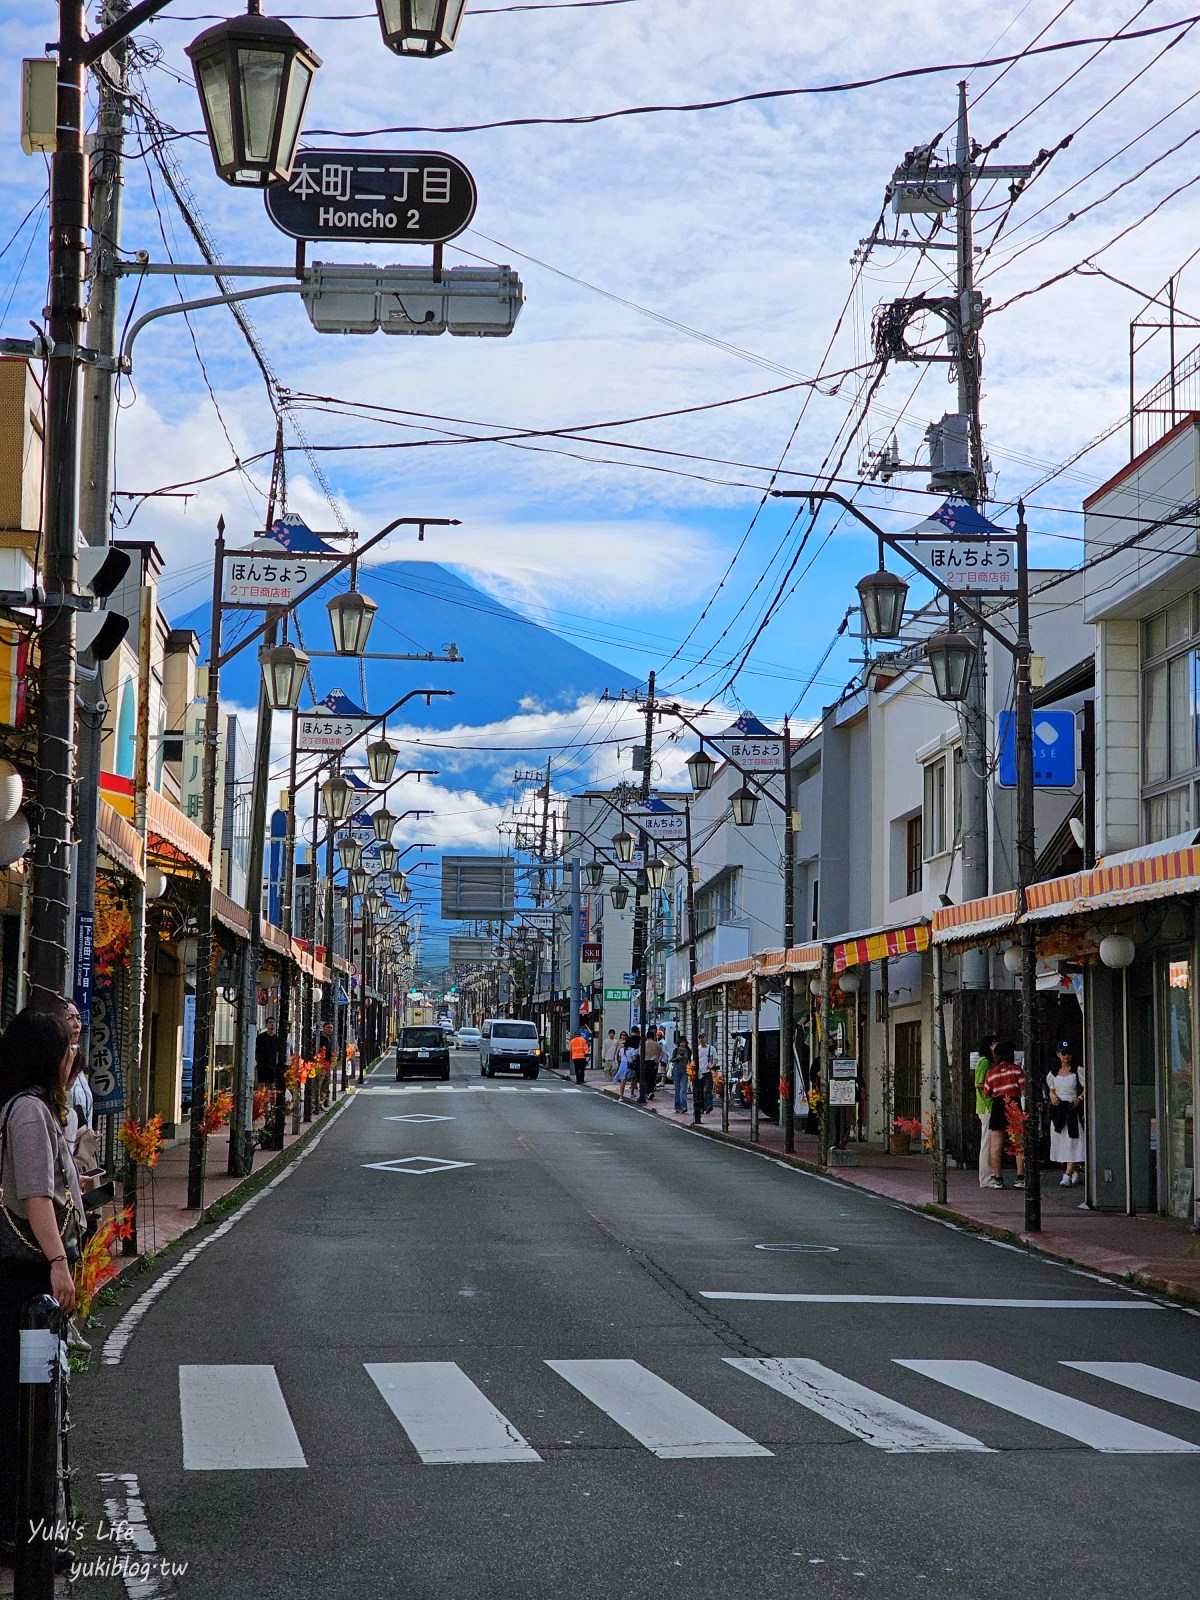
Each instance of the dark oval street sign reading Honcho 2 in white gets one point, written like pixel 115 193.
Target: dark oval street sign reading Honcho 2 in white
pixel 422 196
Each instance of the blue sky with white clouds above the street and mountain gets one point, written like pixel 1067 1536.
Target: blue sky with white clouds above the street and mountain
pixel 671 262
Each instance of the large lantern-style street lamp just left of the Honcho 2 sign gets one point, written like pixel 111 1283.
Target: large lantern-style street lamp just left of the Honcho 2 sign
pixel 254 76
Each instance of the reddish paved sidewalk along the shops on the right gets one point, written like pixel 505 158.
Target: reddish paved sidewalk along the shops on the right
pixel 1156 1254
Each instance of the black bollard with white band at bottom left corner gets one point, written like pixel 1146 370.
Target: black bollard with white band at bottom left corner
pixel 44 1361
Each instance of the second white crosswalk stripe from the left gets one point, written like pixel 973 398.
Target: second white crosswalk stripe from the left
pixel 447 1418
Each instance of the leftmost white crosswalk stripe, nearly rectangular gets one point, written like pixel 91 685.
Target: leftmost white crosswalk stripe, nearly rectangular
pixel 236 1420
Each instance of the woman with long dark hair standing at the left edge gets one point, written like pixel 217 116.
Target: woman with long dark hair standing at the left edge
pixel 39 1185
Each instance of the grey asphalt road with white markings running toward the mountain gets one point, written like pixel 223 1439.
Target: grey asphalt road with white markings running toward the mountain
pixel 516 1375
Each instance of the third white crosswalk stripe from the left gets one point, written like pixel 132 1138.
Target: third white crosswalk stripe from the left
pixel 660 1417
